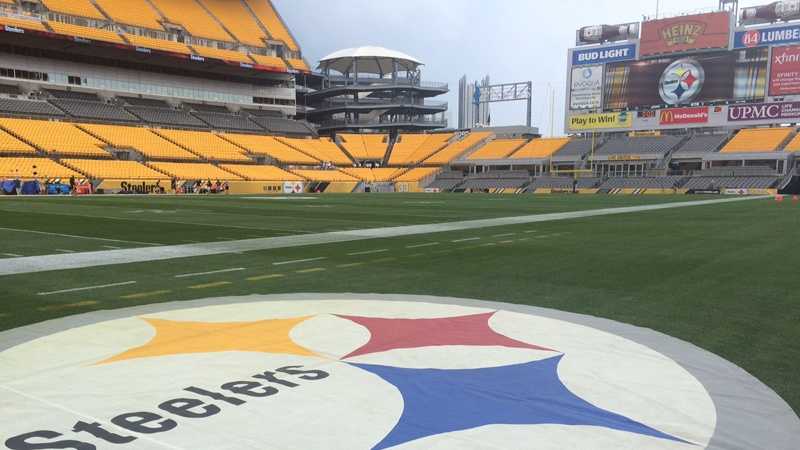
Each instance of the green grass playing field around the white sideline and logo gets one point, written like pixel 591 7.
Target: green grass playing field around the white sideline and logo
pixel 724 277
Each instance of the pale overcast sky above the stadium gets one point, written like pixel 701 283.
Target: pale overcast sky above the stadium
pixel 510 40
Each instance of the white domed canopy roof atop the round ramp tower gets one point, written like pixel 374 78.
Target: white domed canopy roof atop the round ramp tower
pixel 377 60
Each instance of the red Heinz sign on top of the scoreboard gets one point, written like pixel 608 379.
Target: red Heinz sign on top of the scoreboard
pixel 685 33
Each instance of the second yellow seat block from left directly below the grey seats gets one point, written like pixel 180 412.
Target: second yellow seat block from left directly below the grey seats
pixel 142 140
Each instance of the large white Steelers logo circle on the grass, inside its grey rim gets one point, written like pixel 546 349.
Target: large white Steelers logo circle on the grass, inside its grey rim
pixel 331 373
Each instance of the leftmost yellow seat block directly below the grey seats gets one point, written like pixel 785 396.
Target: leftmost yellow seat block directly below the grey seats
pixel 55 137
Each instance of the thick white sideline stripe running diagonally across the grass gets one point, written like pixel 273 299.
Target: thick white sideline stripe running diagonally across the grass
pixel 32 264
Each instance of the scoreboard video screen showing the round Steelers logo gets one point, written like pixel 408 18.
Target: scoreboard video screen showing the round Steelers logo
pixel 677 81
